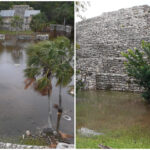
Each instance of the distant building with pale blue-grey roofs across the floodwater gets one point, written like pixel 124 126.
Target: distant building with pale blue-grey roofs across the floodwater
pixel 24 11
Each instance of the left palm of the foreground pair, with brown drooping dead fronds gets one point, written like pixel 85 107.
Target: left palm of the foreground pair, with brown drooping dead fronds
pixel 40 67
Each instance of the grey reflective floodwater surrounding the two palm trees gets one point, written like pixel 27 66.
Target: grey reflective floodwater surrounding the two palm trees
pixel 24 109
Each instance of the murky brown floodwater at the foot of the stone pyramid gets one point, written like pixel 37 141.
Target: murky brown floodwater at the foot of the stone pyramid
pixel 106 111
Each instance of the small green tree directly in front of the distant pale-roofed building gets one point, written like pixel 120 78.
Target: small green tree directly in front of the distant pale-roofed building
pixel 17 22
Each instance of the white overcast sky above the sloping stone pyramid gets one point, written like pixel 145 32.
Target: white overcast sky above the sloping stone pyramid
pixel 97 7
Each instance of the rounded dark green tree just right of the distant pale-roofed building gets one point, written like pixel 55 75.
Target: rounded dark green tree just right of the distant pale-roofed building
pixel 38 22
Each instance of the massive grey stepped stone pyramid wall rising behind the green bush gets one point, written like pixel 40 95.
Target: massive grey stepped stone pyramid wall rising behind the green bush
pixel 102 39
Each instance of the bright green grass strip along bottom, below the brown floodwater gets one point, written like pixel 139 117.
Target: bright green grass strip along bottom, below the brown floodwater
pixel 134 137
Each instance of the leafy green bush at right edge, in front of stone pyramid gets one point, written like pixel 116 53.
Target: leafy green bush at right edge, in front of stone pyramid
pixel 138 67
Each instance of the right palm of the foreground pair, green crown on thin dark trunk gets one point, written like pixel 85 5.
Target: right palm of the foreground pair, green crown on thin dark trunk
pixel 64 70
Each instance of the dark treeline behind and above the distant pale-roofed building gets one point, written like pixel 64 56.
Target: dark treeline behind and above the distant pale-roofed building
pixel 56 12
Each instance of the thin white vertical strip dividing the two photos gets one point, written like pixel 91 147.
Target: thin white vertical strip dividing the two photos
pixel 75 74
